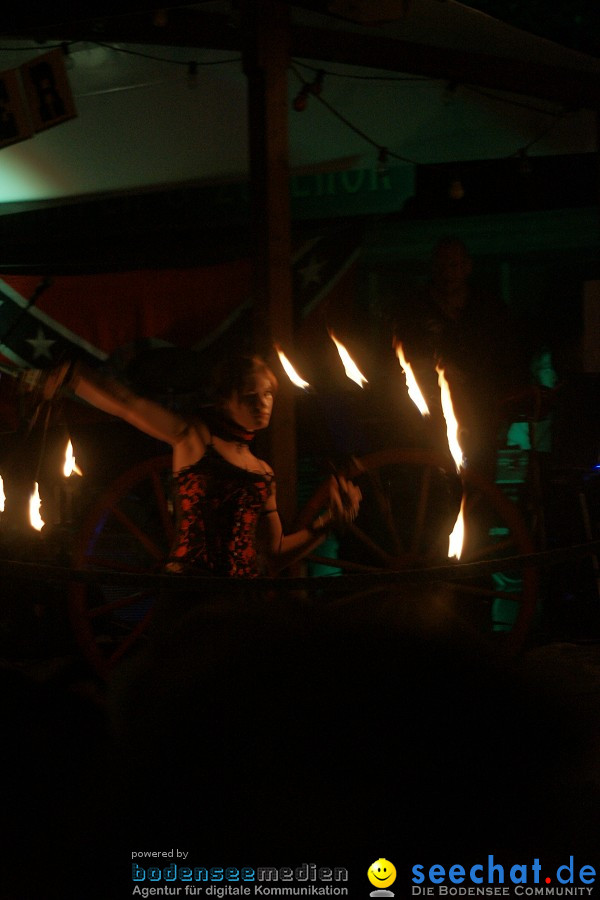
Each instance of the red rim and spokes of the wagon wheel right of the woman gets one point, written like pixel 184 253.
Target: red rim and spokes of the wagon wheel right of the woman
pixel 416 550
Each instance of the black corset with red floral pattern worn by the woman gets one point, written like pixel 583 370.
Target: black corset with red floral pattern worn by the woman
pixel 218 506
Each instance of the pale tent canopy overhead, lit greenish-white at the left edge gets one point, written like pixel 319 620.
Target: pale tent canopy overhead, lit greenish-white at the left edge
pixel 427 81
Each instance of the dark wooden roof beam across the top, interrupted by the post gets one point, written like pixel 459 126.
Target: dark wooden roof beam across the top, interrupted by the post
pixel 185 27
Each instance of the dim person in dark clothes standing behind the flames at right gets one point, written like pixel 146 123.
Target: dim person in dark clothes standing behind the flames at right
pixel 471 334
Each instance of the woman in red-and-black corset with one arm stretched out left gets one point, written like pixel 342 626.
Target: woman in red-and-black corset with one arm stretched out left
pixel 225 495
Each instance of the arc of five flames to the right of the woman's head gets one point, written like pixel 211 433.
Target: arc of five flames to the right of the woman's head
pixel 456 539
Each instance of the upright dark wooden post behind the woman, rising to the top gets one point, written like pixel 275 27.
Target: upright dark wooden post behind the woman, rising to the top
pixel 265 28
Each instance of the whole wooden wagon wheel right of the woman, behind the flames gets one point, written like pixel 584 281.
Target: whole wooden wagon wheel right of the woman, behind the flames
pixel 411 498
